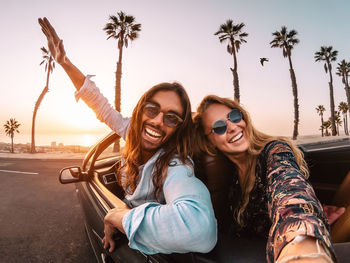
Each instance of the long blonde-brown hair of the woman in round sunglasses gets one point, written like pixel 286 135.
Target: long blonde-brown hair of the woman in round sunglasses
pixel 257 141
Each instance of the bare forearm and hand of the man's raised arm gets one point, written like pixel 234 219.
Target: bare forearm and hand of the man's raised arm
pixel 57 51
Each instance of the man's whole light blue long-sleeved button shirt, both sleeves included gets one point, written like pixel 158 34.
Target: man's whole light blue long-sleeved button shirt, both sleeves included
pixel 183 221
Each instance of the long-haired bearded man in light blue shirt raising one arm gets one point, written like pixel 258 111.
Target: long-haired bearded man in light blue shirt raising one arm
pixel 169 208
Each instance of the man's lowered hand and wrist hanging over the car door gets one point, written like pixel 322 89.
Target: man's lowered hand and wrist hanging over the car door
pixel 113 221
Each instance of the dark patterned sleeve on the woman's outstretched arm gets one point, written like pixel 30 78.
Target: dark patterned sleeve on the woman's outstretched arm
pixel 293 206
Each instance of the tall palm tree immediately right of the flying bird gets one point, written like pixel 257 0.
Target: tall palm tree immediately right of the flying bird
pixel 286 40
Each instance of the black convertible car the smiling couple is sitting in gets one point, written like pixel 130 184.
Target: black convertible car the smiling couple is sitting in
pixel 98 192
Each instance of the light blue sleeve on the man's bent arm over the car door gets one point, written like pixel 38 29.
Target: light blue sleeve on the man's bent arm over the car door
pixel 186 223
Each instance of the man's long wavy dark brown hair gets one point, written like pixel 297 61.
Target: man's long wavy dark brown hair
pixel 178 144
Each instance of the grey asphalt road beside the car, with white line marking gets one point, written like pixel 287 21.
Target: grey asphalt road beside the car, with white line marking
pixel 40 219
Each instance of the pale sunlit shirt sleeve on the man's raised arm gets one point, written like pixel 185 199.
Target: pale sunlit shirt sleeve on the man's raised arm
pixel 92 96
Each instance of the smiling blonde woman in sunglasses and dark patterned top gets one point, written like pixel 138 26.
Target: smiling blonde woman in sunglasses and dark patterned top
pixel 269 195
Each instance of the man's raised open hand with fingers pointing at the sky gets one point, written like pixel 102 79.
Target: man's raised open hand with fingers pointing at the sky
pixel 55 44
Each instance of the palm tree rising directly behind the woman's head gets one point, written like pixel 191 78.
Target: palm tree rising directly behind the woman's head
pixel 235 37
